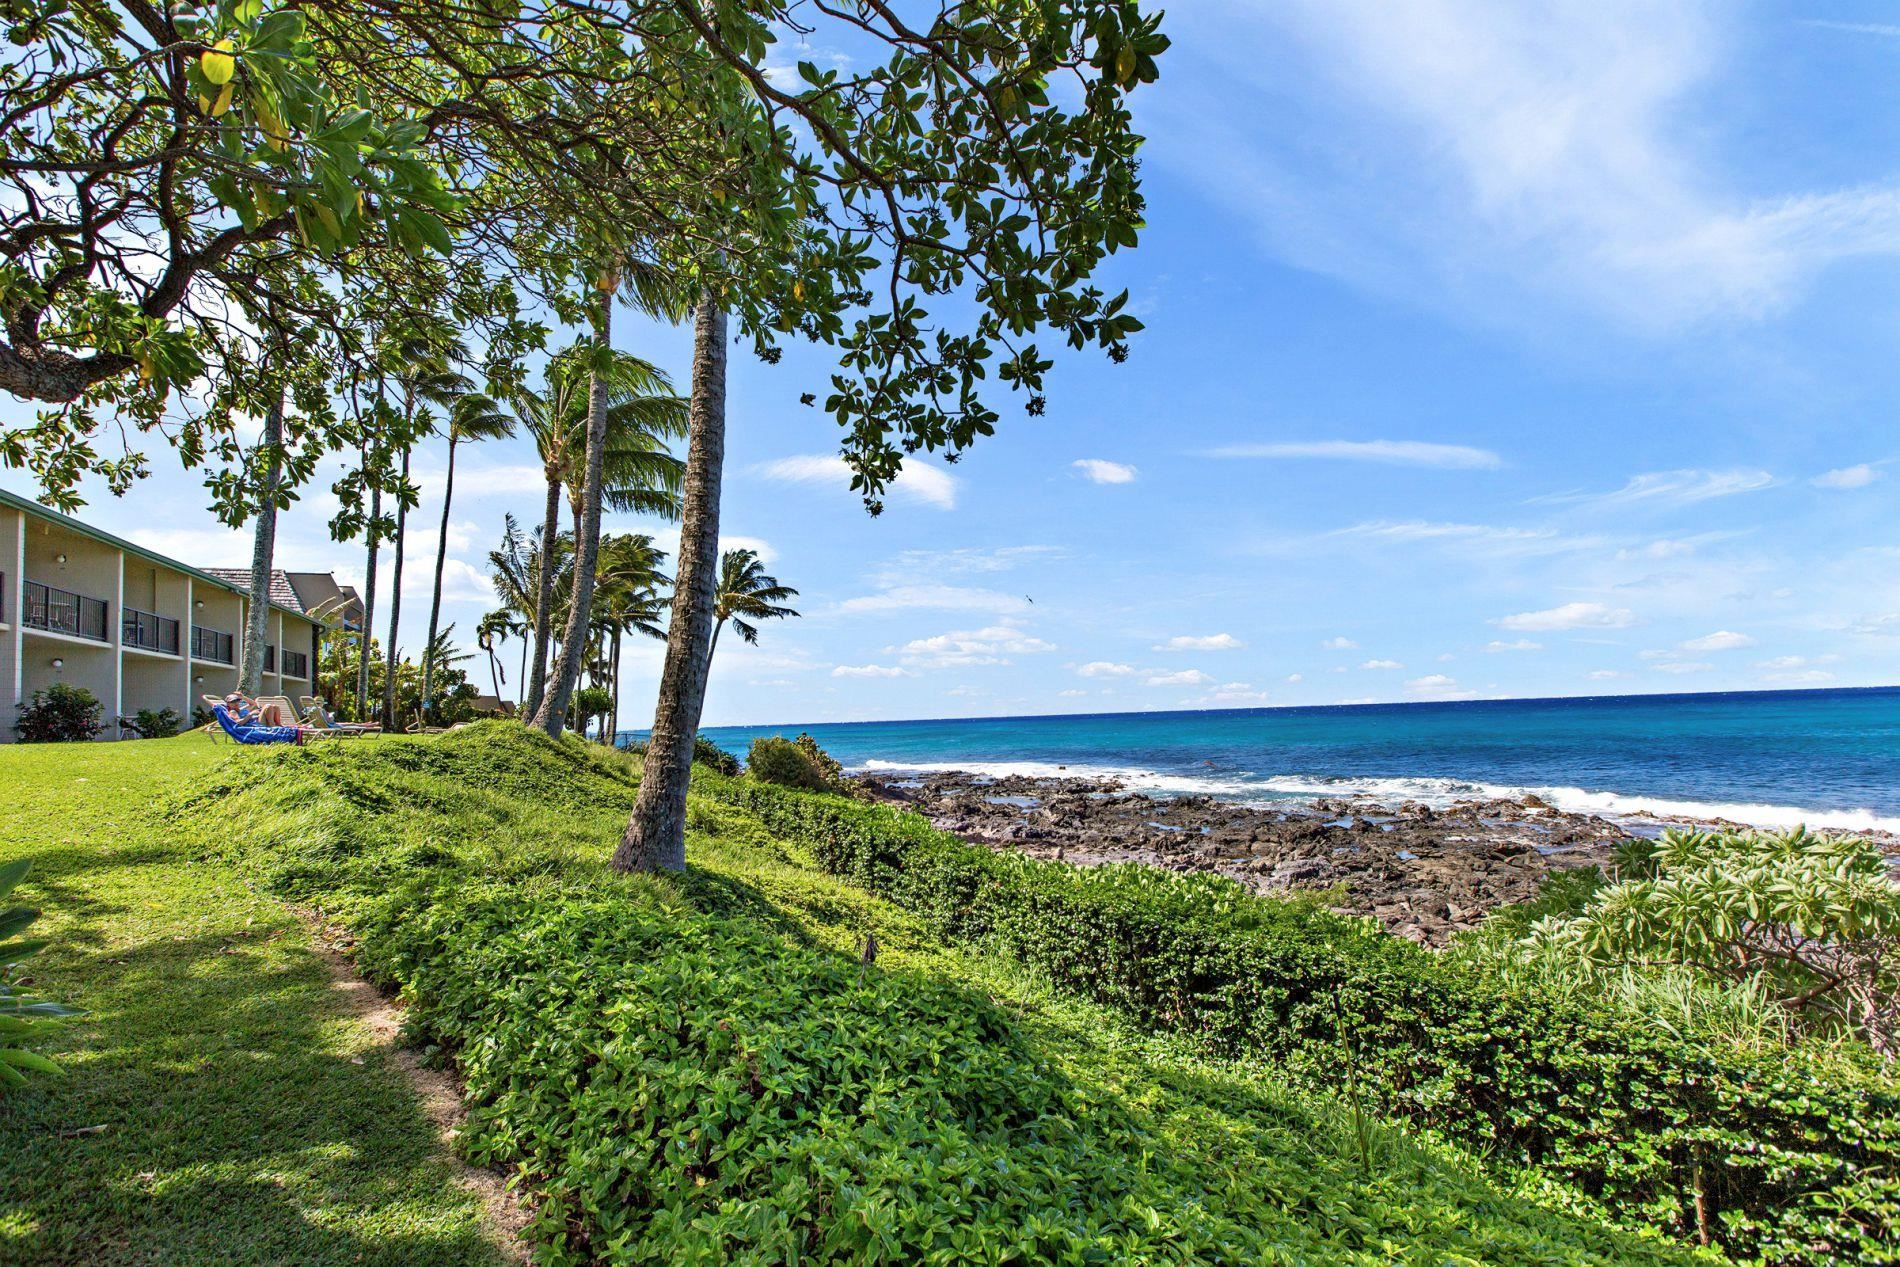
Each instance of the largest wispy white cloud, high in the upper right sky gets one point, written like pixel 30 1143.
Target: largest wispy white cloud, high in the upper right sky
pixel 1546 153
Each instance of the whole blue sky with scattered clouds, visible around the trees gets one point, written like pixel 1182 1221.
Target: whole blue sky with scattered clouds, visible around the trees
pixel 1492 350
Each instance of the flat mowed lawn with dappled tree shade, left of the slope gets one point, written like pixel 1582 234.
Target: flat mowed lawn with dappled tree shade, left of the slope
pixel 221 1105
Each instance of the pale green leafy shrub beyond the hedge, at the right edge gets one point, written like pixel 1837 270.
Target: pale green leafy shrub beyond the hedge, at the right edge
pixel 1814 920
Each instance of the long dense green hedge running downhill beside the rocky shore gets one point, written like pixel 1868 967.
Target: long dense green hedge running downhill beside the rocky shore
pixel 1777 1158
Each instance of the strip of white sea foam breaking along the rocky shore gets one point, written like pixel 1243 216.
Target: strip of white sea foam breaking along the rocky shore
pixel 1435 793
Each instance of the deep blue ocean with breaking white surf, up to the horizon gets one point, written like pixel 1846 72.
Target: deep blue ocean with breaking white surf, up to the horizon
pixel 1772 759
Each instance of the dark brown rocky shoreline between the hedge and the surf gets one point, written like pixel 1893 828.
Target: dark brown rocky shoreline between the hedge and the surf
pixel 1424 873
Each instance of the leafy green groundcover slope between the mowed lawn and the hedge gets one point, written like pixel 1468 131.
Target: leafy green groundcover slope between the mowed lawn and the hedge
pixel 702 1070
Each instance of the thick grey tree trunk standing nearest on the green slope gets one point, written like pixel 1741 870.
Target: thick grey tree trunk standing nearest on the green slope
pixel 656 835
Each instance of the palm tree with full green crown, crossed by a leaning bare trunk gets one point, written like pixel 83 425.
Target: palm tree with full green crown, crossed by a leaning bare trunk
pixel 637 470
